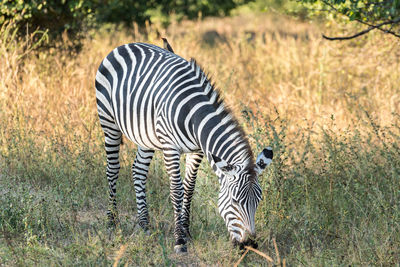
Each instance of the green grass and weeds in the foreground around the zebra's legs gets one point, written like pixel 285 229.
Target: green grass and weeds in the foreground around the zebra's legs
pixel 335 202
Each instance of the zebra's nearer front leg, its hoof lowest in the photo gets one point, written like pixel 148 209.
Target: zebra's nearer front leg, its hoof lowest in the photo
pixel 171 159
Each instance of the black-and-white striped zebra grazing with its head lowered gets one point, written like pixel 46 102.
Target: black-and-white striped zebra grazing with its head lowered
pixel 160 101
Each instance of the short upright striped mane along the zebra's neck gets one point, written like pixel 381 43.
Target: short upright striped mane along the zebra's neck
pixel 217 101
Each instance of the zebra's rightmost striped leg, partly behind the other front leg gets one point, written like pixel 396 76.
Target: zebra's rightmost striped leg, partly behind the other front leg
pixel 192 166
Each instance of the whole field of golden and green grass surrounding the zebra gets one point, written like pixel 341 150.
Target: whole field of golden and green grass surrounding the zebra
pixel 330 110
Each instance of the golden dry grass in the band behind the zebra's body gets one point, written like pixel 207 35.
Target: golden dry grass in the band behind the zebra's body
pixel 286 67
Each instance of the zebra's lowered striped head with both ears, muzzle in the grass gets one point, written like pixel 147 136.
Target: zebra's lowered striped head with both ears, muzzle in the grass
pixel 240 194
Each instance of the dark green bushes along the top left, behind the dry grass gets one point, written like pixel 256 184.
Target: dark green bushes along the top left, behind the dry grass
pixel 76 15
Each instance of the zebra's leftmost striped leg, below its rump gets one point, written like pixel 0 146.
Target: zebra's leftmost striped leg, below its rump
pixel 112 144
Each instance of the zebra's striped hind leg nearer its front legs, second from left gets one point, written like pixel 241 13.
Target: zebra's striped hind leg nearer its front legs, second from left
pixel 140 169
